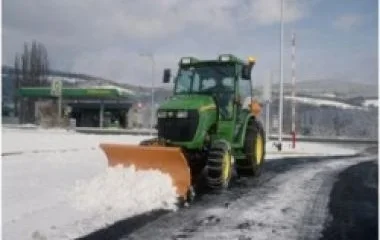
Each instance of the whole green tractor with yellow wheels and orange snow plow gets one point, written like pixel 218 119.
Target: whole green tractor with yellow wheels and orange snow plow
pixel 204 129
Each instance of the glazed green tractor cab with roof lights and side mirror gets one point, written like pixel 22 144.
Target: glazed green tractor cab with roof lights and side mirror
pixel 226 79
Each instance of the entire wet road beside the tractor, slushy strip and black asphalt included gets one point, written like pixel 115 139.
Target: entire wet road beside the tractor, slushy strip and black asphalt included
pixel 295 198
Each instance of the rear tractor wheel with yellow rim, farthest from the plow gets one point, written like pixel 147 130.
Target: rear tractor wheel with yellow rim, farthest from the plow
pixel 251 166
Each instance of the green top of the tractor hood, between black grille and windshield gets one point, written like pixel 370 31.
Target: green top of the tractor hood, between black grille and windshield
pixel 187 102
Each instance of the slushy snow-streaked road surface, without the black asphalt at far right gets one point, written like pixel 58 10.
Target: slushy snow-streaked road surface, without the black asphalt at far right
pixel 289 201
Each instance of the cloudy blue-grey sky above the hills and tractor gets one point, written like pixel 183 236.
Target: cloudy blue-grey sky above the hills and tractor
pixel 335 39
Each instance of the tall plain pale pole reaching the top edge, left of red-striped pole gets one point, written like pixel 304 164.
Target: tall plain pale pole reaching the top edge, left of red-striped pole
pixel 281 79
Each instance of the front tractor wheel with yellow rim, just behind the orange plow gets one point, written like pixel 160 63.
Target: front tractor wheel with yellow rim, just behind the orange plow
pixel 219 165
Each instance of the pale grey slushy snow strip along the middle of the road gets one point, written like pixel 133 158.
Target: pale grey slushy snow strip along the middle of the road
pixel 276 210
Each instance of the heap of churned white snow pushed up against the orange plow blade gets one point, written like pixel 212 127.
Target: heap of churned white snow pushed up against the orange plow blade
pixel 121 192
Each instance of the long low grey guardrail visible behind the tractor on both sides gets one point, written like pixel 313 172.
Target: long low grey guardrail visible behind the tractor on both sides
pixel 274 137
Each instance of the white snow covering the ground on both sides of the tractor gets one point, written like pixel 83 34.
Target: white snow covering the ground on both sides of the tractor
pixel 56 184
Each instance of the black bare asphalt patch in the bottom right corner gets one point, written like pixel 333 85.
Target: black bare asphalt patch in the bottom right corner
pixel 354 204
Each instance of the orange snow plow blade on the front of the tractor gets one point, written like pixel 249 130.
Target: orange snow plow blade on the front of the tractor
pixel 168 160
